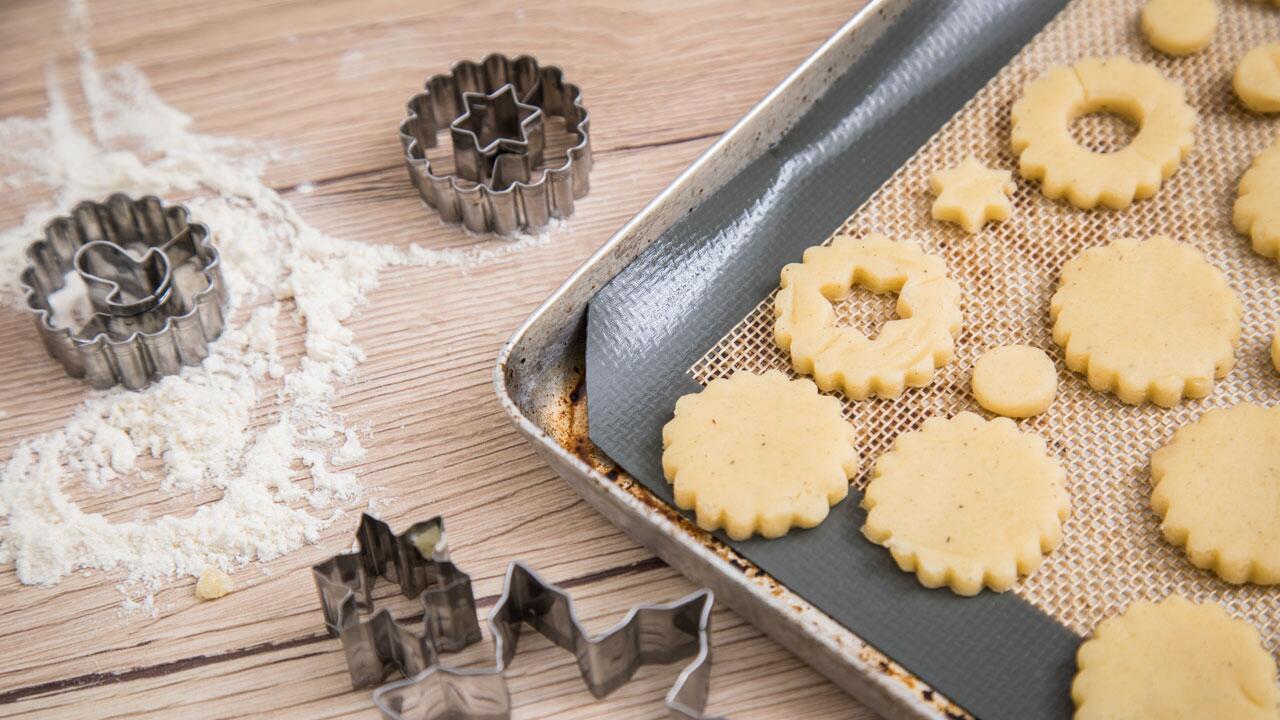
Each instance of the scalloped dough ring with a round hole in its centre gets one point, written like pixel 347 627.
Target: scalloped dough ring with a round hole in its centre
pixel 1043 138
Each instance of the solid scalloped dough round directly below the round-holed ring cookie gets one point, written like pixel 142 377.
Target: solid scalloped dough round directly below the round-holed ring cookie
pixel 1148 321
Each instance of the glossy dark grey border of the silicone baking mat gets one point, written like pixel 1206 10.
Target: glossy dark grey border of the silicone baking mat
pixel 995 655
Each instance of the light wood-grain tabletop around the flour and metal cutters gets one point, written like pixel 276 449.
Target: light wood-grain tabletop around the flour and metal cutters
pixel 326 81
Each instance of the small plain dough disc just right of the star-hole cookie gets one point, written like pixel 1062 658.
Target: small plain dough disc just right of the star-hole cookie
pixel 1017 381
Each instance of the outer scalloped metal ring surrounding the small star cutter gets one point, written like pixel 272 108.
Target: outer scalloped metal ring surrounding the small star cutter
pixel 501 208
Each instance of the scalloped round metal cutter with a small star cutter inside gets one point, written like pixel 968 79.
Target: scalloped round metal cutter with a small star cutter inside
pixel 496 112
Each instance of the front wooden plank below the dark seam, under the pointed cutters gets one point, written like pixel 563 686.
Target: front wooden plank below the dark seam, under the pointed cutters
pixel 543 680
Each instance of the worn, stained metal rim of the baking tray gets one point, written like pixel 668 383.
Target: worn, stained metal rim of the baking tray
pixel 541 366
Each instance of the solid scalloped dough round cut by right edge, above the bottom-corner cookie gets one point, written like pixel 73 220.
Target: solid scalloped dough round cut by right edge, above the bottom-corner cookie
pixel 1217 487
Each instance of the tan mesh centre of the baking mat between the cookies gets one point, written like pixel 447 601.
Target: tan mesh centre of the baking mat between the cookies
pixel 1113 552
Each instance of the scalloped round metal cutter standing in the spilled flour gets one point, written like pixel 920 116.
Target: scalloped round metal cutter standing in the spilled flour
pixel 125 291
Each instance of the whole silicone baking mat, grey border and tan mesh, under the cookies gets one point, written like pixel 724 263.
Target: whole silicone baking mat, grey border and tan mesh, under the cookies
pixel 998 657
